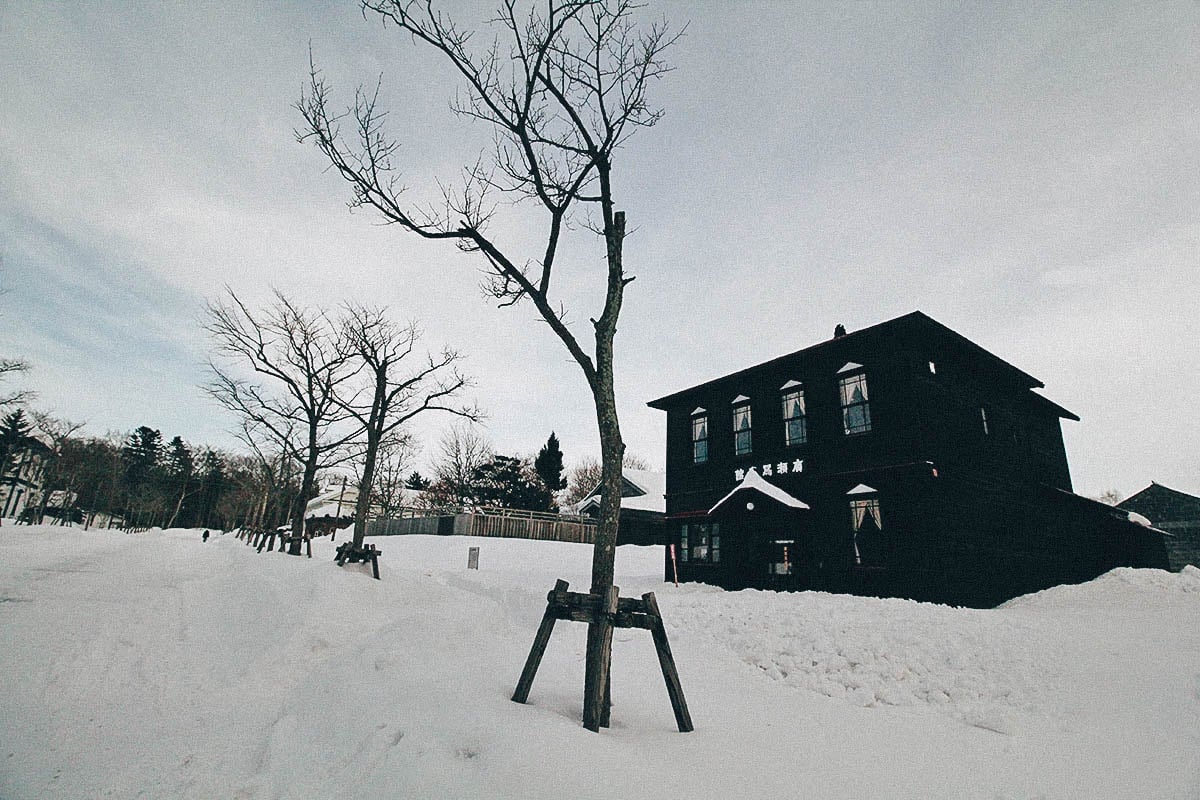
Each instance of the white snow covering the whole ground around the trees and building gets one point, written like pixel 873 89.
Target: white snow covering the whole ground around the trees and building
pixel 158 666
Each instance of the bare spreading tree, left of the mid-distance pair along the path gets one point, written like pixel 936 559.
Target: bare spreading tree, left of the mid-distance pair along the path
pixel 302 357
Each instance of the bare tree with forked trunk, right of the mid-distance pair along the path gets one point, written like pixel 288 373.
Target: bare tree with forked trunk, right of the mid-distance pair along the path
pixel 400 386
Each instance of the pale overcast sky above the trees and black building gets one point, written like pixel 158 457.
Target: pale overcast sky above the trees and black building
pixel 1027 175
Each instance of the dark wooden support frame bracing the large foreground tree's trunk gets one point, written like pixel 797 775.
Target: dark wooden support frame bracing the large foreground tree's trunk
pixel 607 612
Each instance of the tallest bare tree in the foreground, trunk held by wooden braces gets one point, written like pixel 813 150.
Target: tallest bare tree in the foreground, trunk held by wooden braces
pixel 562 94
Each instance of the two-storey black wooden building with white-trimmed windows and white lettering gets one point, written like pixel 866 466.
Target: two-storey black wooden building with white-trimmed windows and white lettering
pixel 901 460
